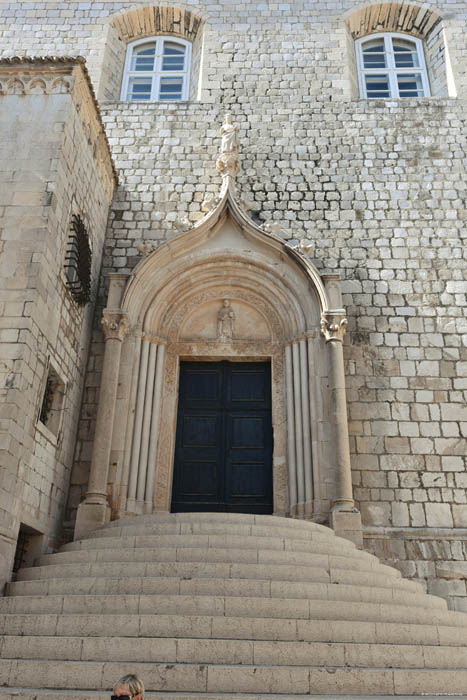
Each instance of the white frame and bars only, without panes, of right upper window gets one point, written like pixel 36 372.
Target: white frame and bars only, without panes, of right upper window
pixel 391 70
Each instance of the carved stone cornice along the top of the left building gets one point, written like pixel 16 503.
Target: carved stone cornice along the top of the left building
pixel 25 75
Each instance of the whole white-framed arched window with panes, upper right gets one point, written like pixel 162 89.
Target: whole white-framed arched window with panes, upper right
pixel 391 65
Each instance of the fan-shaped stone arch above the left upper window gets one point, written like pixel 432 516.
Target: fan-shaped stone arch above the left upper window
pixel 151 21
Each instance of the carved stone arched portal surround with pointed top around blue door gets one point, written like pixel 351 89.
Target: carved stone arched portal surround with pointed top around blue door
pixel 226 291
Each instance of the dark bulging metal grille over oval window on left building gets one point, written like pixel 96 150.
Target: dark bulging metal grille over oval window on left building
pixel 78 262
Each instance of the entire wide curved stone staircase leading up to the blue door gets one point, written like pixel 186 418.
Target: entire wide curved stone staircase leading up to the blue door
pixel 224 606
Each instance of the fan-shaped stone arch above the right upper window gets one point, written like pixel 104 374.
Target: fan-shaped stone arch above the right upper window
pixel 415 20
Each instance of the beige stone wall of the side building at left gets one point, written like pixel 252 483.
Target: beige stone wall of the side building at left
pixel 47 137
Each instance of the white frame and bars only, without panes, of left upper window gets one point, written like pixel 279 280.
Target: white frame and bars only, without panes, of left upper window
pixel 157 71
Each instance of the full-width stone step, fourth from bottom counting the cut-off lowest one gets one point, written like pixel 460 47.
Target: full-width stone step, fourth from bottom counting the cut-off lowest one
pixel 217 627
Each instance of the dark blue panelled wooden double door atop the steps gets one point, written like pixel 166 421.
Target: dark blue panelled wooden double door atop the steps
pixel 223 453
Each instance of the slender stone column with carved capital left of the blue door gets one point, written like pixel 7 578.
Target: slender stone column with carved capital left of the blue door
pixel 94 510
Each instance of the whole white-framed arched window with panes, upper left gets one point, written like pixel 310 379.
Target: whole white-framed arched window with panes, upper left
pixel 157 69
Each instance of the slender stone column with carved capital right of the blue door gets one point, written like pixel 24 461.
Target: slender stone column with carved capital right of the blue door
pixel 345 518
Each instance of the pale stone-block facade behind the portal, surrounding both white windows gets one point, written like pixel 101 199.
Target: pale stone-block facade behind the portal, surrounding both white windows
pixel 373 189
